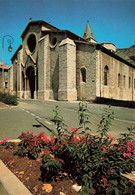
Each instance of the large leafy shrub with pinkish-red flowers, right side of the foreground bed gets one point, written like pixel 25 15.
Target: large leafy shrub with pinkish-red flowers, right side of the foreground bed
pixel 96 162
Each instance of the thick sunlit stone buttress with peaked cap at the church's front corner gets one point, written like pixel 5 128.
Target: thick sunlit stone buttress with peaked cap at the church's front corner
pixel 67 70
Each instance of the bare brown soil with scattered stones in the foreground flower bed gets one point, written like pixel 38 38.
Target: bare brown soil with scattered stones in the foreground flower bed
pixel 28 172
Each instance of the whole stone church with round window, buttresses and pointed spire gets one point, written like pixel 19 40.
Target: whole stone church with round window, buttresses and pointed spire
pixel 54 64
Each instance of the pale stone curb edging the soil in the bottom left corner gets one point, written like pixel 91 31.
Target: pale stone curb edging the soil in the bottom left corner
pixel 11 185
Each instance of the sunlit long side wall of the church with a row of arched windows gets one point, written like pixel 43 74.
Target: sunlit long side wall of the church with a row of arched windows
pixel 118 85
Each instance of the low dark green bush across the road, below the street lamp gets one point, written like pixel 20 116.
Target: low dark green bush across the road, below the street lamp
pixel 8 99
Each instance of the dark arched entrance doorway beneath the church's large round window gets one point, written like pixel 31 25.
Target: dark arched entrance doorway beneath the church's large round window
pixel 30 81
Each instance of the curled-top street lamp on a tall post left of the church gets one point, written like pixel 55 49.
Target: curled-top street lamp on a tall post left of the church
pixel 10 40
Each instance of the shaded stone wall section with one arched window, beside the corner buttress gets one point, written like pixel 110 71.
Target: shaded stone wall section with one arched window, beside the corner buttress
pixel 86 58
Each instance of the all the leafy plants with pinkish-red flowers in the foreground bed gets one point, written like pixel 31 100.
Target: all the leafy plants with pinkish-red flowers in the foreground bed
pixel 95 162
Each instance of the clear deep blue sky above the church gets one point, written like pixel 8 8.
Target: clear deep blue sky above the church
pixel 110 20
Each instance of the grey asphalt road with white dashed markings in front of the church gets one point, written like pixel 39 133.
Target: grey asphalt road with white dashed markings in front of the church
pixel 36 116
